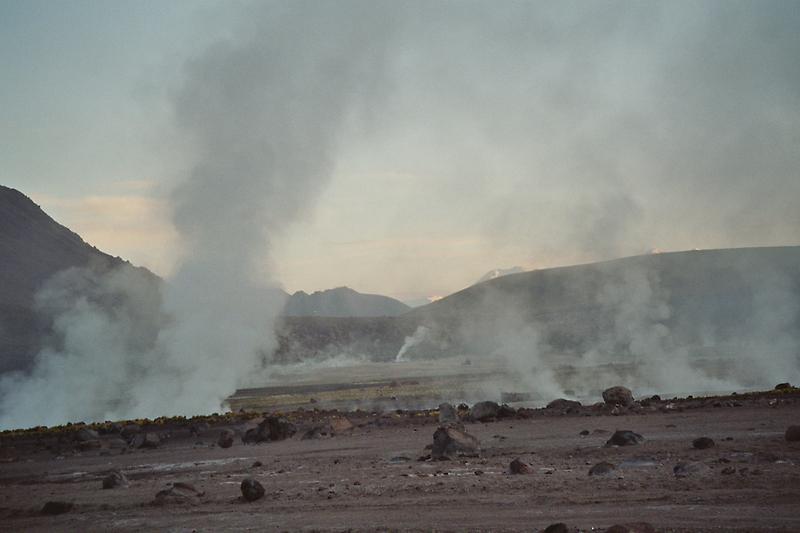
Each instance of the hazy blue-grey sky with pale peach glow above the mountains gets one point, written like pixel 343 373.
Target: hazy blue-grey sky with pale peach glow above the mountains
pixel 496 134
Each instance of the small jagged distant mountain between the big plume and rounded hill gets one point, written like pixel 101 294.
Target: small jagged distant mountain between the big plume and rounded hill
pixel 342 302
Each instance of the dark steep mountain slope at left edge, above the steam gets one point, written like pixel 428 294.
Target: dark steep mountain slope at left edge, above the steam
pixel 33 247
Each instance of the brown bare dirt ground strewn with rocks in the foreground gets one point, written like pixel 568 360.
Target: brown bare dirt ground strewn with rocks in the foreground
pixel 370 477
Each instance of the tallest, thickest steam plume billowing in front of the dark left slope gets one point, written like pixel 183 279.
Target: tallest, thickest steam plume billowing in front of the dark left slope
pixel 261 117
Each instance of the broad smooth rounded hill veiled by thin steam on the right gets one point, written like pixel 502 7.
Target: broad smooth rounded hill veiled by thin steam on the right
pixel 701 298
